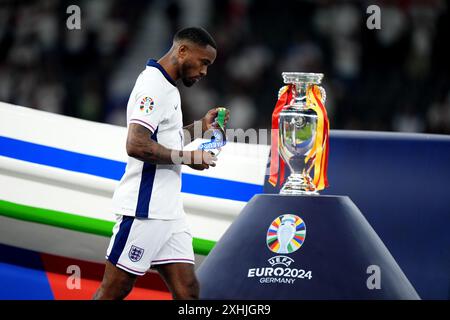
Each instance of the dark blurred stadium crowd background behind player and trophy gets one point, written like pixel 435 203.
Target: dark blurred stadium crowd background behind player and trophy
pixel 393 79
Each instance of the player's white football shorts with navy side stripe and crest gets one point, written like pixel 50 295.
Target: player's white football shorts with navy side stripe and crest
pixel 139 243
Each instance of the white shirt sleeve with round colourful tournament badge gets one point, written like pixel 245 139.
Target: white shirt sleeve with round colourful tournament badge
pixel 149 109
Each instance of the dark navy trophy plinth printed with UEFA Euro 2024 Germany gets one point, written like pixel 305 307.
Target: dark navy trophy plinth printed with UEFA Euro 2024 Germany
pixel 285 248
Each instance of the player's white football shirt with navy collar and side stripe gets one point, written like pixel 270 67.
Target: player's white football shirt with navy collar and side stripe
pixel 148 190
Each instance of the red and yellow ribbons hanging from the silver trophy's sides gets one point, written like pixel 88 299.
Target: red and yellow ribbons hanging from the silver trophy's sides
pixel 319 152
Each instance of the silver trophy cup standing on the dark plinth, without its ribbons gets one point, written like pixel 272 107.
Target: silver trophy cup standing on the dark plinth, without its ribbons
pixel 297 132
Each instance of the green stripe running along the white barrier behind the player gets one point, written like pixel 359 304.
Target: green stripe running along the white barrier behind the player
pixel 77 223
